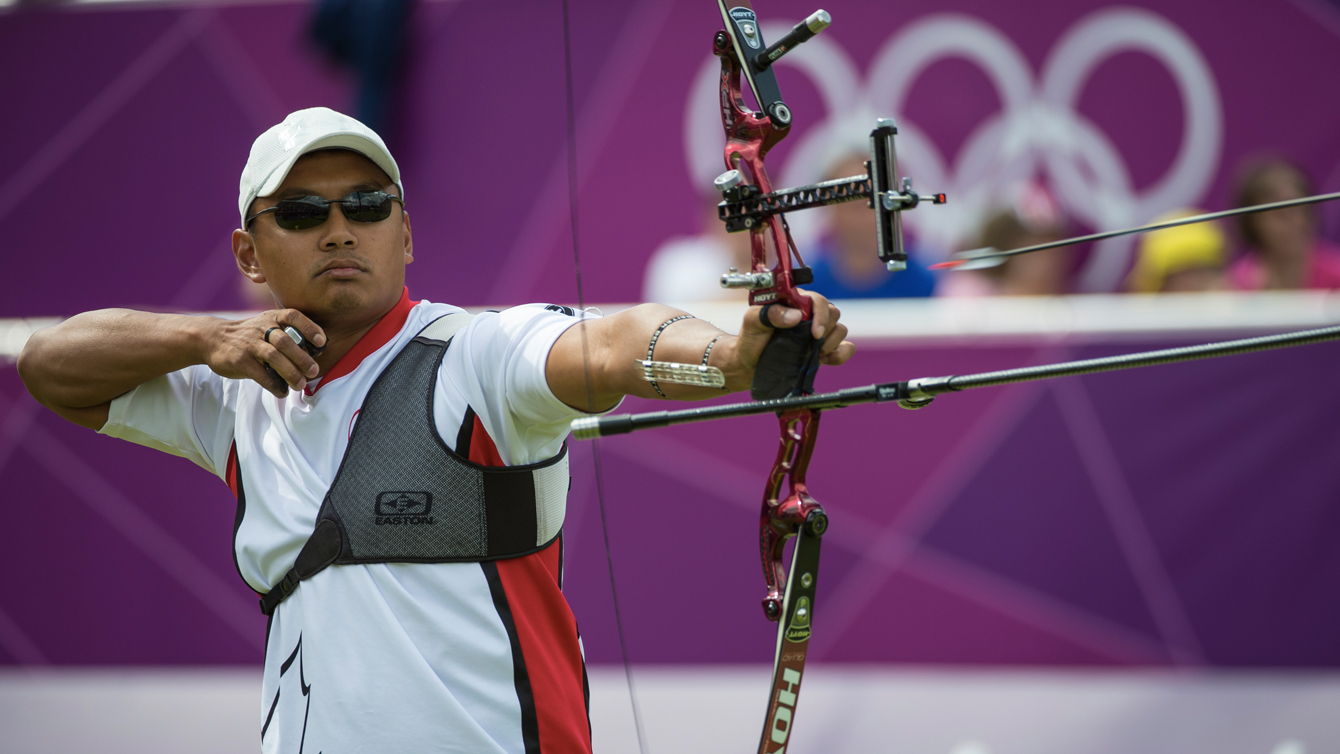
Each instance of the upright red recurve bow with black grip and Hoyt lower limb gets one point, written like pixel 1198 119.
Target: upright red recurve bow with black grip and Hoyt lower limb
pixel 787 365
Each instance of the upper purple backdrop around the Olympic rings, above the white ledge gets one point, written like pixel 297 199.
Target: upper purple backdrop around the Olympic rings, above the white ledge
pixel 128 131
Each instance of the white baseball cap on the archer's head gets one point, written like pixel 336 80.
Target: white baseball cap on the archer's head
pixel 277 151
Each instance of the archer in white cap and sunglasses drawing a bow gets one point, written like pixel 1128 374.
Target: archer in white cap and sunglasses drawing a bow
pixel 400 467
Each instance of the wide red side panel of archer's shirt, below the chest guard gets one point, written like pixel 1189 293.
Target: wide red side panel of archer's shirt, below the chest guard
pixel 549 637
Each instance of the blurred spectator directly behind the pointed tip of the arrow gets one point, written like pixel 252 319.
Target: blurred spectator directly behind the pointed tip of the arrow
pixel 1030 219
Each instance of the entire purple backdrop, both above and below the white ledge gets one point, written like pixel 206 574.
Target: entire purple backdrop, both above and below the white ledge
pixel 1113 520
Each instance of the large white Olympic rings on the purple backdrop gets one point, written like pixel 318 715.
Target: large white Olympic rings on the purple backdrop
pixel 1038 133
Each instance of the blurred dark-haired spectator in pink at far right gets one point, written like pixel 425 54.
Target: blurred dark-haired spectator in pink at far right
pixel 1284 250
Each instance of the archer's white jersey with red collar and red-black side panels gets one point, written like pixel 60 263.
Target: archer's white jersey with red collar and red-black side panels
pixel 392 658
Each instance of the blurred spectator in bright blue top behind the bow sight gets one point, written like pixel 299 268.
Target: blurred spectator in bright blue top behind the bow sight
pixel 846 262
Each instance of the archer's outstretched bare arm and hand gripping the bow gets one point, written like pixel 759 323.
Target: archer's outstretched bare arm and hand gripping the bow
pixel 594 365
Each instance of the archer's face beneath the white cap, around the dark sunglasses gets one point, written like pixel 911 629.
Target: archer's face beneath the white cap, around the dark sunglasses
pixel 340 270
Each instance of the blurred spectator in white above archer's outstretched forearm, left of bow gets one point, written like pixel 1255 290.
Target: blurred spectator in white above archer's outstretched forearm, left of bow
pixel 689 269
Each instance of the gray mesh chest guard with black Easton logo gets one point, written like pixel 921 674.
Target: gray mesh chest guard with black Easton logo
pixel 403 496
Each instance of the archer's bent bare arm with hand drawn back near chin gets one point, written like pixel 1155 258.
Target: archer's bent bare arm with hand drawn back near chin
pixel 80 366
